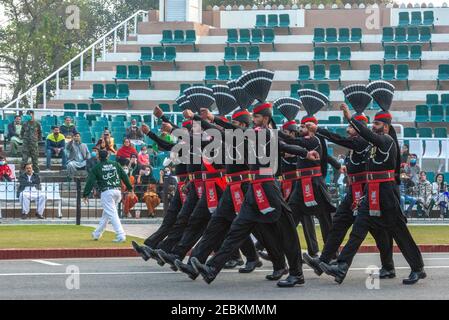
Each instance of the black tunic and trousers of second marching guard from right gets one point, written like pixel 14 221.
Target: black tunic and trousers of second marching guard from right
pixel 356 163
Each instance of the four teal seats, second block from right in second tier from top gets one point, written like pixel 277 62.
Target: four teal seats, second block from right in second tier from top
pixel 345 35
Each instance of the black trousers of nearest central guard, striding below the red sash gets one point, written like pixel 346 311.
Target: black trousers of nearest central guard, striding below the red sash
pixel 283 229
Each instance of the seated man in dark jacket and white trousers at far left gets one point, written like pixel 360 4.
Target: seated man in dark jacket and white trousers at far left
pixel 29 190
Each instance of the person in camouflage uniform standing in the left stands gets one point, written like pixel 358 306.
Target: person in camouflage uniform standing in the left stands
pixel 31 134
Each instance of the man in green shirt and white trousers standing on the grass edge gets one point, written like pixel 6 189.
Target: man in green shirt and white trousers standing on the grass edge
pixel 108 175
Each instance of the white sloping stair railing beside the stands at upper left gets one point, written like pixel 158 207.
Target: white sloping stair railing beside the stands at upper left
pixel 130 23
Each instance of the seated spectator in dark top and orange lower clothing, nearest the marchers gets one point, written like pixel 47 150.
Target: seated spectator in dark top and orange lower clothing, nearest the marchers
pixel 146 186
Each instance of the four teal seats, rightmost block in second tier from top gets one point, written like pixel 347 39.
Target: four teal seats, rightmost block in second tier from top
pixel 410 34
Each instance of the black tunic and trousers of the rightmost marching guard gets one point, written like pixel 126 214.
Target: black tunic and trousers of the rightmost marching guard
pixel 382 157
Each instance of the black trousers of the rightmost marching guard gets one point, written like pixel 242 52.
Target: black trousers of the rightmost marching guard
pixel 391 222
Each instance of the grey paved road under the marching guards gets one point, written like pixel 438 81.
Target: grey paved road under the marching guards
pixel 132 278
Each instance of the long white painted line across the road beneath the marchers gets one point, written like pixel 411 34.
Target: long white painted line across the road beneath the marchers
pixel 124 273
